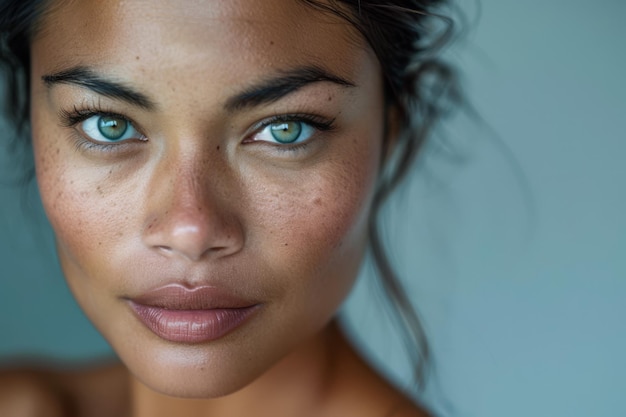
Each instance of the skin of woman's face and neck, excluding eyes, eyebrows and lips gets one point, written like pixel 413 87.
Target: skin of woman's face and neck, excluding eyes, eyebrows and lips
pixel 201 198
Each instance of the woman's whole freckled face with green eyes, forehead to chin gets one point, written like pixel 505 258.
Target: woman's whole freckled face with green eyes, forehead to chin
pixel 208 171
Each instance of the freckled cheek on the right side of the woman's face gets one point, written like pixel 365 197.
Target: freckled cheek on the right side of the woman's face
pixel 314 225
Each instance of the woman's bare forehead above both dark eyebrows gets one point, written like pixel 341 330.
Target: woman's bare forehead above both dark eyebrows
pixel 233 38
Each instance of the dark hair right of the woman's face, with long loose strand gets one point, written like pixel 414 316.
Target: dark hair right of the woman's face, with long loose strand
pixel 407 37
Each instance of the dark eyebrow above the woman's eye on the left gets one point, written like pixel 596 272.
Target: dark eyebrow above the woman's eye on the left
pixel 87 78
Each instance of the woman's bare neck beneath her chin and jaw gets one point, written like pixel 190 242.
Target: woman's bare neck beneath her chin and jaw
pixel 299 384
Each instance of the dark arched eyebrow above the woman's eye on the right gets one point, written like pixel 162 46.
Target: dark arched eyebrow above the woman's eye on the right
pixel 285 83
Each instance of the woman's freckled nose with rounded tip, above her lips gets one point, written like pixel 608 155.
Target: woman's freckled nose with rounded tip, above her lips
pixel 190 213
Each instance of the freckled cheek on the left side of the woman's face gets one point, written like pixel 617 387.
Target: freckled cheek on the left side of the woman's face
pixel 87 224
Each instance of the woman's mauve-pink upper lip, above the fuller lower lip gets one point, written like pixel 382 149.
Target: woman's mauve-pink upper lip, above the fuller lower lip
pixel 181 297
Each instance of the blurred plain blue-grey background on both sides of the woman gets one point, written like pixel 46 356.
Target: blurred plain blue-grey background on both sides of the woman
pixel 514 250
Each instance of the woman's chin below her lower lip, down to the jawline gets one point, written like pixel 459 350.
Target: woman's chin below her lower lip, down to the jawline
pixel 207 370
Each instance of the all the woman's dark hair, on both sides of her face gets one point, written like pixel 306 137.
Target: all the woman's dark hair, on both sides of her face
pixel 406 36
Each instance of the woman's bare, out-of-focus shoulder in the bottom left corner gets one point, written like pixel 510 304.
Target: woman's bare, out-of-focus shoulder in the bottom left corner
pixel 50 392
